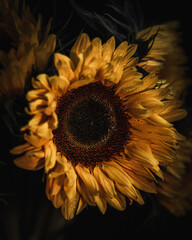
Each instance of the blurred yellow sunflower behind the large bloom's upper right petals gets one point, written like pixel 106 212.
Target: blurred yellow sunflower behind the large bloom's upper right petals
pixel 166 57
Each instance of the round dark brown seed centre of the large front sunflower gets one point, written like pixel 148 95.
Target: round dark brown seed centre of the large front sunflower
pixel 93 125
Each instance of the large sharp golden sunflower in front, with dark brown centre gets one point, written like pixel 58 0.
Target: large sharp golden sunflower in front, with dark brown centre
pixel 102 127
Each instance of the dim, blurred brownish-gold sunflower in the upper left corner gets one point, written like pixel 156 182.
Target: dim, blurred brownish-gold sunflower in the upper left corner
pixel 25 49
